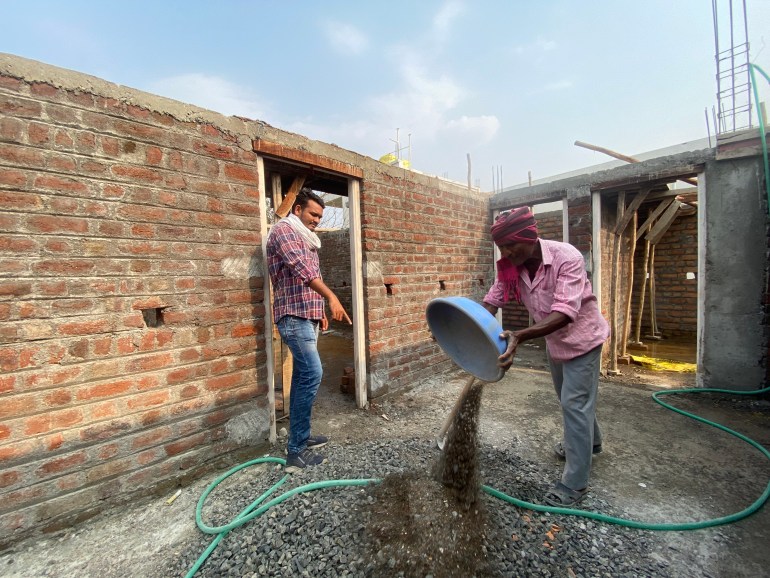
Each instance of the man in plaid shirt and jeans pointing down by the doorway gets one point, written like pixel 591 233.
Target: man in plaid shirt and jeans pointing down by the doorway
pixel 298 312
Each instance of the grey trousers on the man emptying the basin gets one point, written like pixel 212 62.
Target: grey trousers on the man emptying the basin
pixel 577 383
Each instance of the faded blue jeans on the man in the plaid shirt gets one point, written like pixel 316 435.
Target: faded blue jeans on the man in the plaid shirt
pixel 301 337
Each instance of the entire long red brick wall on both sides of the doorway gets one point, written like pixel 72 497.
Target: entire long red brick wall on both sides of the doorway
pixel 131 288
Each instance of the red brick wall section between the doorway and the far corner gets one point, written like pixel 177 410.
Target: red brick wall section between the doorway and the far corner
pixel 422 238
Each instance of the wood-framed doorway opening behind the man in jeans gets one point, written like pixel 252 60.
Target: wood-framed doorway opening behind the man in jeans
pixel 342 345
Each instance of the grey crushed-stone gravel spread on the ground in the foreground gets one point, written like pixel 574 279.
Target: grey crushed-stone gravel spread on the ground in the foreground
pixel 326 532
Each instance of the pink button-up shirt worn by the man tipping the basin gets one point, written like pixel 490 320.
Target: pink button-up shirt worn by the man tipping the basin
pixel 560 284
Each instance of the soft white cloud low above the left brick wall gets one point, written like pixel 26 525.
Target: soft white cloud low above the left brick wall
pixel 211 92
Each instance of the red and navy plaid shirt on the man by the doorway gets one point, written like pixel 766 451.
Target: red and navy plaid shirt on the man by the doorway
pixel 292 265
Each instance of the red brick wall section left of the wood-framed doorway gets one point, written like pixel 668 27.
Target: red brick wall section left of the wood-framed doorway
pixel 131 303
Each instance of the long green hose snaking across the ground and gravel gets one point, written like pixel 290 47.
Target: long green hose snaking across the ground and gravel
pixel 254 510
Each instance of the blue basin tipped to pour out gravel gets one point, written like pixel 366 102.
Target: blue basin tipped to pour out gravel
pixel 469 334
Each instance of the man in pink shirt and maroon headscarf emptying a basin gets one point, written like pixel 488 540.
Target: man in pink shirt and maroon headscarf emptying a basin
pixel 550 279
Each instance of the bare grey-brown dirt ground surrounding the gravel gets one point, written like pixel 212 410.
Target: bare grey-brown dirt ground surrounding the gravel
pixel 657 466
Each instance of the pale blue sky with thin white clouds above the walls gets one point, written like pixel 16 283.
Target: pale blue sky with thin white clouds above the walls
pixel 512 83
